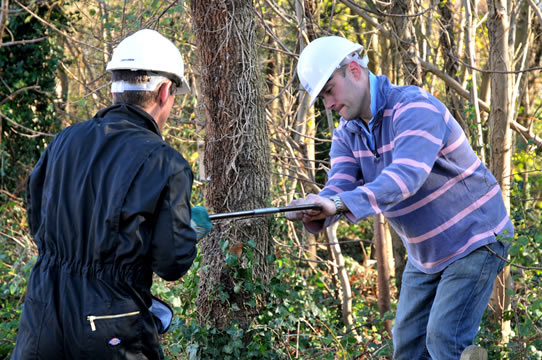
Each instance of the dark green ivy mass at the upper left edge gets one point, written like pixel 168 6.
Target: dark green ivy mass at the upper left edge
pixel 28 85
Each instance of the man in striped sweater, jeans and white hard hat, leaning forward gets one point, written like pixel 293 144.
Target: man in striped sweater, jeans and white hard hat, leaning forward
pixel 398 151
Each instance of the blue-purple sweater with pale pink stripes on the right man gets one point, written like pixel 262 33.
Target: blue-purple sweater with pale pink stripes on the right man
pixel 422 175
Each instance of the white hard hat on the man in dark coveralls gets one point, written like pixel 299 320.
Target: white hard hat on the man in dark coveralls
pixel 148 50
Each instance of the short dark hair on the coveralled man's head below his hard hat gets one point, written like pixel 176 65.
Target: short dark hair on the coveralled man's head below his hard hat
pixel 136 97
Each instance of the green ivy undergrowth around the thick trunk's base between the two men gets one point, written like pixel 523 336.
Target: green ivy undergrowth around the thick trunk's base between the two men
pixel 302 320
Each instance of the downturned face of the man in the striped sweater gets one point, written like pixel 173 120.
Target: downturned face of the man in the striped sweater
pixel 344 92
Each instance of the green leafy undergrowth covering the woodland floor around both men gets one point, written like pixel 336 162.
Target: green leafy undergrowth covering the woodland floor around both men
pixel 303 318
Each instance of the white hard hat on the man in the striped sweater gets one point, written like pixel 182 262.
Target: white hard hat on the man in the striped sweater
pixel 319 60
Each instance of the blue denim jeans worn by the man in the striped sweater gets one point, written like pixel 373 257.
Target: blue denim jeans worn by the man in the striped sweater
pixel 438 315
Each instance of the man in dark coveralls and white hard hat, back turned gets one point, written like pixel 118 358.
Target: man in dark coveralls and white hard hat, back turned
pixel 108 205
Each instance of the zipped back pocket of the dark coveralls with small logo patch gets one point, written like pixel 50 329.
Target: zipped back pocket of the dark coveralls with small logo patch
pixel 115 335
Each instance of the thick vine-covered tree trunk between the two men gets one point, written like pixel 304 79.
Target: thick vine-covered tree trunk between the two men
pixel 236 161
